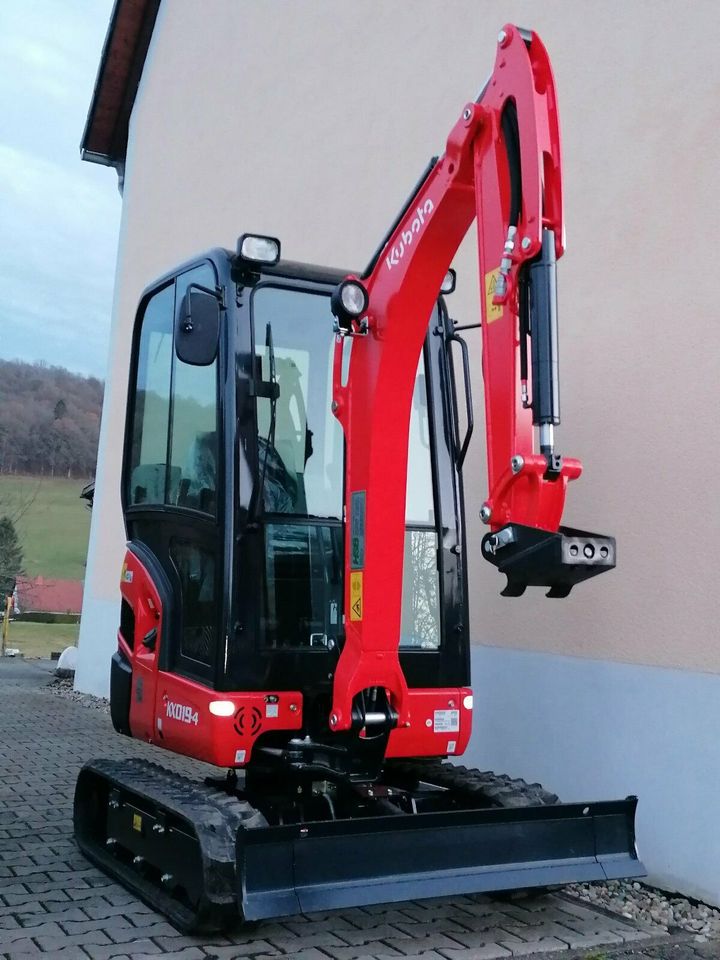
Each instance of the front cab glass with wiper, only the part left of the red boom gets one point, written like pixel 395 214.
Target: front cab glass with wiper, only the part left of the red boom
pixel 300 469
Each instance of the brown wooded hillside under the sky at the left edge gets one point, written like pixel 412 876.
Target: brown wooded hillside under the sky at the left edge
pixel 49 421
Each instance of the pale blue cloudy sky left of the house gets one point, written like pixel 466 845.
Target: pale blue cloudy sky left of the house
pixel 59 215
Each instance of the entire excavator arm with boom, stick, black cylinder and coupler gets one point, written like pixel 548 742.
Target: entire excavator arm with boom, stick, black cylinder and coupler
pixel 501 168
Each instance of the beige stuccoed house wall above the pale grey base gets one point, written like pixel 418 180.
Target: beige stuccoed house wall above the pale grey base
pixel 312 121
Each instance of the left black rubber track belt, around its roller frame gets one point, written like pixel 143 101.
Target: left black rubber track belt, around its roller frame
pixel 215 818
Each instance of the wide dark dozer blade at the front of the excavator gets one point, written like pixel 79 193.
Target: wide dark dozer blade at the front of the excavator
pixel 317 866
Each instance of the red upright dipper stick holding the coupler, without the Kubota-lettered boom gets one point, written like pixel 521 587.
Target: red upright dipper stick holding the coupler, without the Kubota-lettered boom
pixel 524 76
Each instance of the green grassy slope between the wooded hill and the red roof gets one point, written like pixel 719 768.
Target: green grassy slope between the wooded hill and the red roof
pixel 54 524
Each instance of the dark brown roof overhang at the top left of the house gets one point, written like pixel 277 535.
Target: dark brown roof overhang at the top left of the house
pixel 121 64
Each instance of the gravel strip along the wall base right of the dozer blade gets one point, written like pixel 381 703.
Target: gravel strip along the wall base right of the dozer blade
pixel 666 911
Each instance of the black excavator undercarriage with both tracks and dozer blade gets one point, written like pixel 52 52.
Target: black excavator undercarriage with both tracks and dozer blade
pixel 207 857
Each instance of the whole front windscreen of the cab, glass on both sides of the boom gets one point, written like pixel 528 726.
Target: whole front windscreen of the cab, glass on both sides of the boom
pixel 300 479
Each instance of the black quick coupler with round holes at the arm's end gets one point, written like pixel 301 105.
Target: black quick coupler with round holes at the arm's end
pixel 530 557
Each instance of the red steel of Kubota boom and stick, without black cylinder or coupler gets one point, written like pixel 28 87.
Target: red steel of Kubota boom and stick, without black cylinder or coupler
pixel 469 181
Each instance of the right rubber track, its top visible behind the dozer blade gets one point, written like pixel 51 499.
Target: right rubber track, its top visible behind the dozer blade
pixel 497 790
